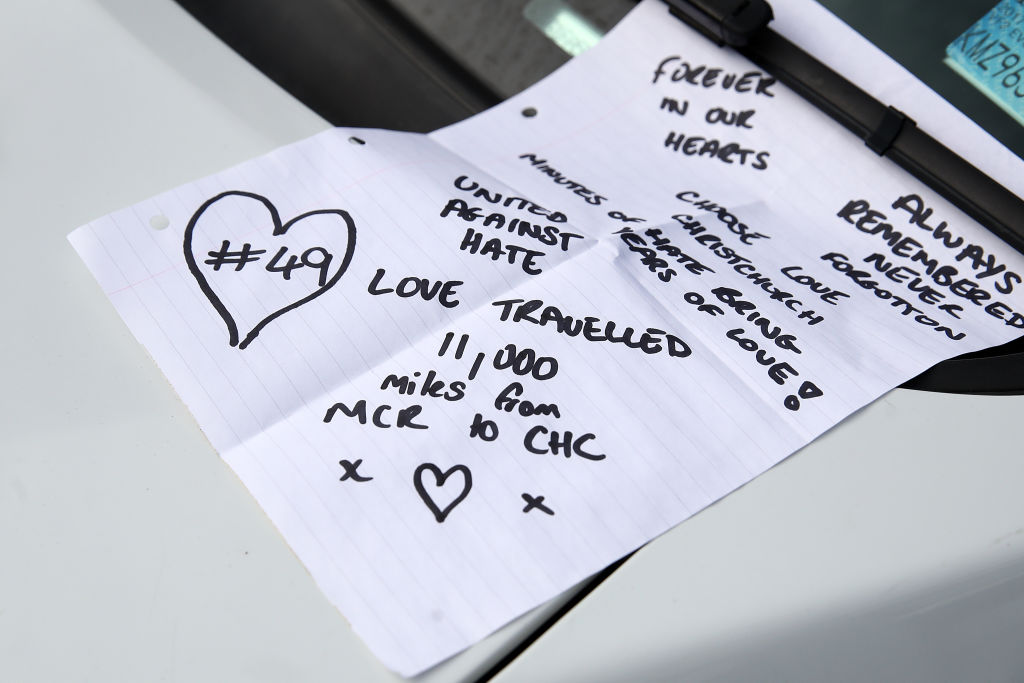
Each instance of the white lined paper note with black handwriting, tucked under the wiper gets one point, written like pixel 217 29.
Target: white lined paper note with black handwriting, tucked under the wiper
pixel 463 372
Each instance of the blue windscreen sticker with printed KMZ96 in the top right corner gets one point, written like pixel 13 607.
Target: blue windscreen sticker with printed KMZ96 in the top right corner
pixel 991 56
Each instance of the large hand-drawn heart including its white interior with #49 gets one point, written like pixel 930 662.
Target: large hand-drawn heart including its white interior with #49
pixel 246 215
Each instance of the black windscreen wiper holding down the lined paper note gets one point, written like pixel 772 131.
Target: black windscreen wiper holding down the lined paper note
pixel 887 132
